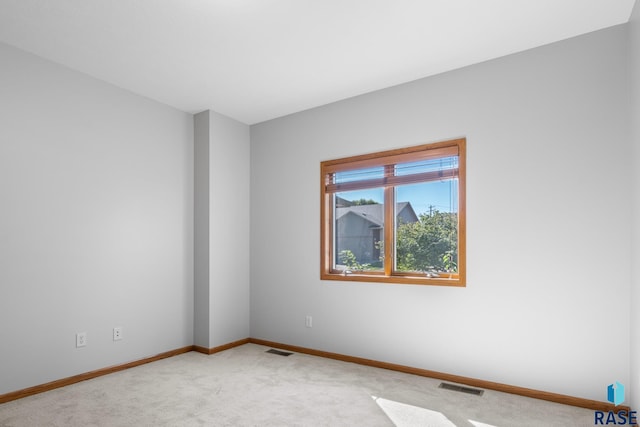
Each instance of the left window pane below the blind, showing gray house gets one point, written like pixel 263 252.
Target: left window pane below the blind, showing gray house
pixel 359 230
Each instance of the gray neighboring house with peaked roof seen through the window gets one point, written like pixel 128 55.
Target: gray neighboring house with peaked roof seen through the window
pixel 359 228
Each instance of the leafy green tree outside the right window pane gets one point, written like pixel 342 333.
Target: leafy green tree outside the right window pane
pixel 431 244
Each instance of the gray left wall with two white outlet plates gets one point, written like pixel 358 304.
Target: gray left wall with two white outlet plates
pixel 96 223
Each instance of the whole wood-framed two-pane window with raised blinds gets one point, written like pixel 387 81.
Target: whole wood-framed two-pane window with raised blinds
pixel 397 216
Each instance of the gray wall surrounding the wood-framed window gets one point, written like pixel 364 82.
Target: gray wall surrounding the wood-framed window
pixel 548 216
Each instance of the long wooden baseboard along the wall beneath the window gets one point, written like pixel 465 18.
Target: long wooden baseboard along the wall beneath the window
pixel 473 382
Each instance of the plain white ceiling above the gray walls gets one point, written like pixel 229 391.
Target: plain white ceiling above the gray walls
pixel 255 60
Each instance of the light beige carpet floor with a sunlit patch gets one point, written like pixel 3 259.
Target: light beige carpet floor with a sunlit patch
pixel 246 386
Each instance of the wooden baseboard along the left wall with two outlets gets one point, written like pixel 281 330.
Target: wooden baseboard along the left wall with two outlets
pixel 89 375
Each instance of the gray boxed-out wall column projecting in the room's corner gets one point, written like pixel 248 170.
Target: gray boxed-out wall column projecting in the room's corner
pixel 222 229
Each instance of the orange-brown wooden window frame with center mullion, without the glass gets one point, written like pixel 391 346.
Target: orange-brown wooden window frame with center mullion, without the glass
pixel 389 182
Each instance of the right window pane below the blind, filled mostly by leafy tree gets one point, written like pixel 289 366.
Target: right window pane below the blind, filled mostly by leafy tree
pixel 426 227
